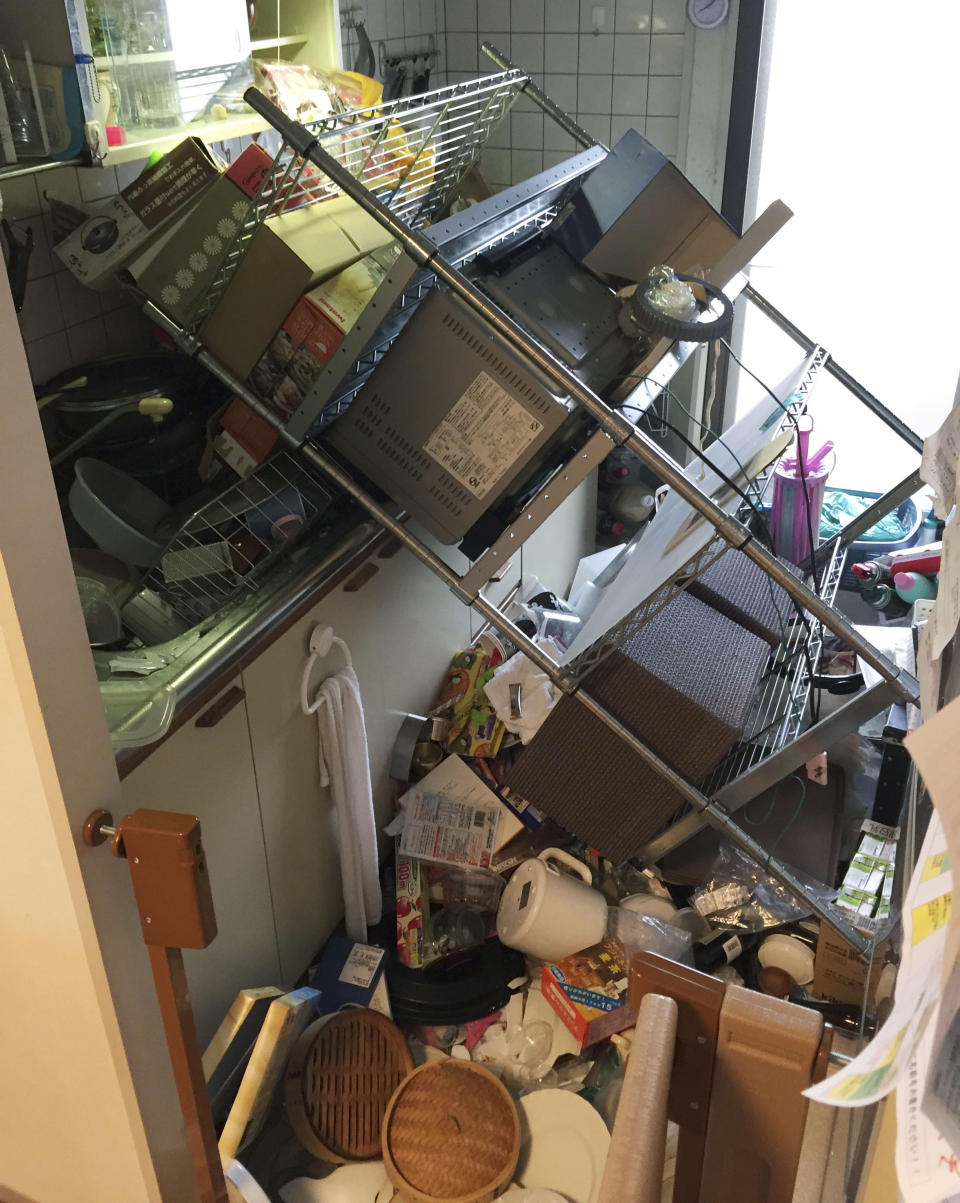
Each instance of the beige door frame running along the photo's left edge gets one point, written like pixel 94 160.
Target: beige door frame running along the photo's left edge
pixel 61 769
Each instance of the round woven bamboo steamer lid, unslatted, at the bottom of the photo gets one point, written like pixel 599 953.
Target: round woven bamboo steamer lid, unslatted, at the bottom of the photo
pixel 452 1135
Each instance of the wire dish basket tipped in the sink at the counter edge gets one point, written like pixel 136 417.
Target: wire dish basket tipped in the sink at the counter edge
pixel 226 547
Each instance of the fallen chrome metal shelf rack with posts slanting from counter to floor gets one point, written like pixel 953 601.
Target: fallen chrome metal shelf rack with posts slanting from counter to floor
pixel 445 133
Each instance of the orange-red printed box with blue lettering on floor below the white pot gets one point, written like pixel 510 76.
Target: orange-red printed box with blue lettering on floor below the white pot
pixel 589 992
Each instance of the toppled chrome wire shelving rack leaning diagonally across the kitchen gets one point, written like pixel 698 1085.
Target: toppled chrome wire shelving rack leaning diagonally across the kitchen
pixel 449 129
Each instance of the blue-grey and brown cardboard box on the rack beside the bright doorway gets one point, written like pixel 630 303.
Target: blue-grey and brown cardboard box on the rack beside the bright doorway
pixel 636 211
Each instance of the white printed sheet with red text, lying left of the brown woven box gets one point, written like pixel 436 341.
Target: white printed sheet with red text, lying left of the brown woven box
pixel 451 833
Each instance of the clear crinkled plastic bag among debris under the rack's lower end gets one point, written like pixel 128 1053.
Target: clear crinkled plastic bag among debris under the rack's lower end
pixel 740 896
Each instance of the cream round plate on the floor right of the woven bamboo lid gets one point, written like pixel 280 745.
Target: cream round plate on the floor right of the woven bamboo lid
pixel 564 1146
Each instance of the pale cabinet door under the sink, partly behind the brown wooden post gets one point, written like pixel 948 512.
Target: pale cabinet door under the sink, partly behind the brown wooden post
pixel 208 769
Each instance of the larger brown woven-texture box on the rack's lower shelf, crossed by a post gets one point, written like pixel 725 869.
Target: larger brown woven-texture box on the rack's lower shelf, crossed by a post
pixel 683 685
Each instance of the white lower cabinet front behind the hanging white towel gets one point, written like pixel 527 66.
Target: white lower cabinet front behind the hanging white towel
pixel 402 629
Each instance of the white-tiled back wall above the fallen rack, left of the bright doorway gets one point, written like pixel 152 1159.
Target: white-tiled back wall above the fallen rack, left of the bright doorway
pixel 614 66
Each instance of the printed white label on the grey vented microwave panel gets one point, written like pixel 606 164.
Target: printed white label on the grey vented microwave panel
pixel 483 436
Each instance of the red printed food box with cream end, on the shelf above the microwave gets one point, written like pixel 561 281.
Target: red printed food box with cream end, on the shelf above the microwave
pixel 315 329
